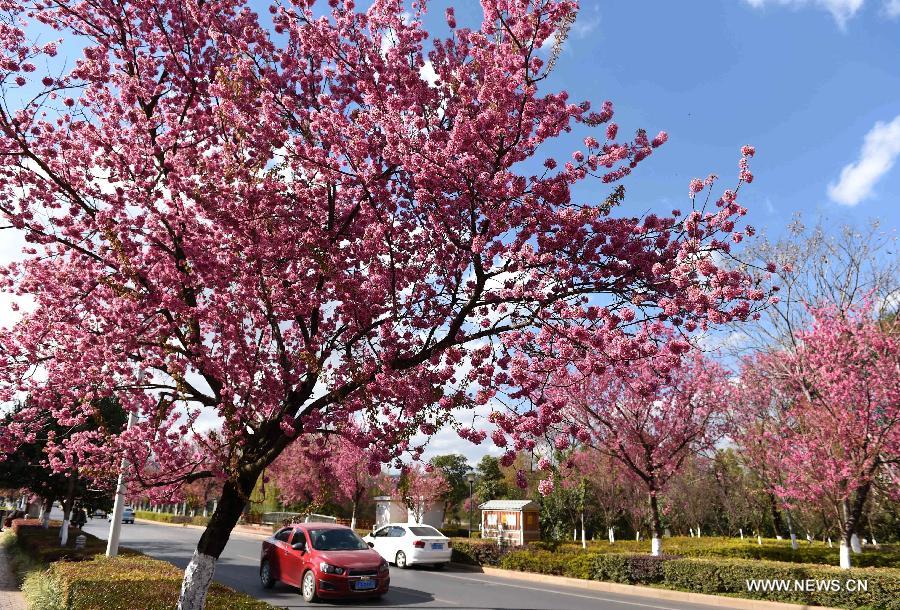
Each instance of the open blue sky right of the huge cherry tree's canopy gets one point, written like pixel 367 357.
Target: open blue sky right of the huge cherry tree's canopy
pixel 803 83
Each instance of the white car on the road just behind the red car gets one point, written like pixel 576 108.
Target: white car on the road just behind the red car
pixel 406 544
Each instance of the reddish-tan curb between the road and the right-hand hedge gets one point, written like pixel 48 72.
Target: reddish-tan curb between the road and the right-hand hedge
pixel 718 601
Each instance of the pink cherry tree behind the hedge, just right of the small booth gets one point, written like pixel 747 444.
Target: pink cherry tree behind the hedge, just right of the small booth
pixel 650 417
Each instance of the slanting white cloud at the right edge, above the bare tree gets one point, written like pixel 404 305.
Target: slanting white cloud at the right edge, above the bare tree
pixel 879 151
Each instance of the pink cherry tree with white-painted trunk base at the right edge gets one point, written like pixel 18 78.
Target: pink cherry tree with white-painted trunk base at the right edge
pixel 838 393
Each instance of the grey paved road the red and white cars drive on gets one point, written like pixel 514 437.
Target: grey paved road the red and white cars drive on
pixel 412 588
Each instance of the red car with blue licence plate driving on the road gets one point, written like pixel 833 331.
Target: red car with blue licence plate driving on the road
pixel 324 560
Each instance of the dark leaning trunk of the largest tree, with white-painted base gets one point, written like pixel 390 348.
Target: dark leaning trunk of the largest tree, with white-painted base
pixel 199 572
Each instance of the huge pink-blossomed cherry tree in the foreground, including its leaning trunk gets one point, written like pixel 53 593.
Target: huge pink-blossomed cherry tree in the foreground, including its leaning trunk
pixel 286 225
